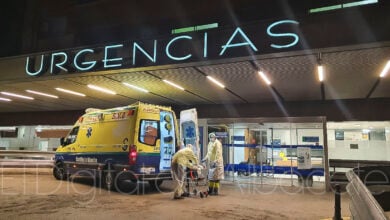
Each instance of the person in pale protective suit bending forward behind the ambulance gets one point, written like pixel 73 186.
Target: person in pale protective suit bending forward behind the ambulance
pixel 184 158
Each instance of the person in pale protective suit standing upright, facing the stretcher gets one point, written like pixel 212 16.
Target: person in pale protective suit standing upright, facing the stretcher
pixel 215 158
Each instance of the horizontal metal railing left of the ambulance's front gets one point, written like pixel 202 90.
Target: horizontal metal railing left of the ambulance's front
pixel 26 159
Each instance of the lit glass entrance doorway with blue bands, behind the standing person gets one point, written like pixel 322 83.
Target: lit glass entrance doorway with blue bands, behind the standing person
pixel 281 151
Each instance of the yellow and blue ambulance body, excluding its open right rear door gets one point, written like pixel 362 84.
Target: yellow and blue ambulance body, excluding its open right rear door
pixel 134 142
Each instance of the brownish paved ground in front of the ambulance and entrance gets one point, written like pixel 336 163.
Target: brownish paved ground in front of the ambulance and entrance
pixel 38 195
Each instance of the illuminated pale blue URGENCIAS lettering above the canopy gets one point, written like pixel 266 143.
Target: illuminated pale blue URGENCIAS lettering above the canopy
pixel 199 46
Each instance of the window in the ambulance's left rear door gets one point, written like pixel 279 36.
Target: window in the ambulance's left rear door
pixel 148 132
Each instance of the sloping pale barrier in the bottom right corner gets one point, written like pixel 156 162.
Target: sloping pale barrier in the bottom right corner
pixel 363 204
